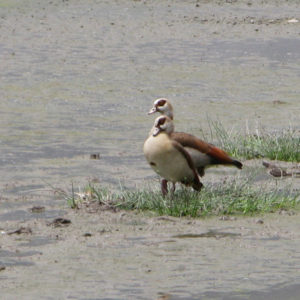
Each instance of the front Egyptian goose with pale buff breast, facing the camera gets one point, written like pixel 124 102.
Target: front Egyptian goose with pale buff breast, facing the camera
pixel 168 158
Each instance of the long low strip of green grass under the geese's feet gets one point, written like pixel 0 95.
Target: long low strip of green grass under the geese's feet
pixel 234 197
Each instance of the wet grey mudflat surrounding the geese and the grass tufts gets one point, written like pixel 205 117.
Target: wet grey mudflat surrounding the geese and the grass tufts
pixel 77 78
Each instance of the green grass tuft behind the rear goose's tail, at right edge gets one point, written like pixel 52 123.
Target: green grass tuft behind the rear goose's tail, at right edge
pixel 284 145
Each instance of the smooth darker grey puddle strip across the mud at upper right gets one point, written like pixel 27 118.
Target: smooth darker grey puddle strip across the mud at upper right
pixel 277 51
